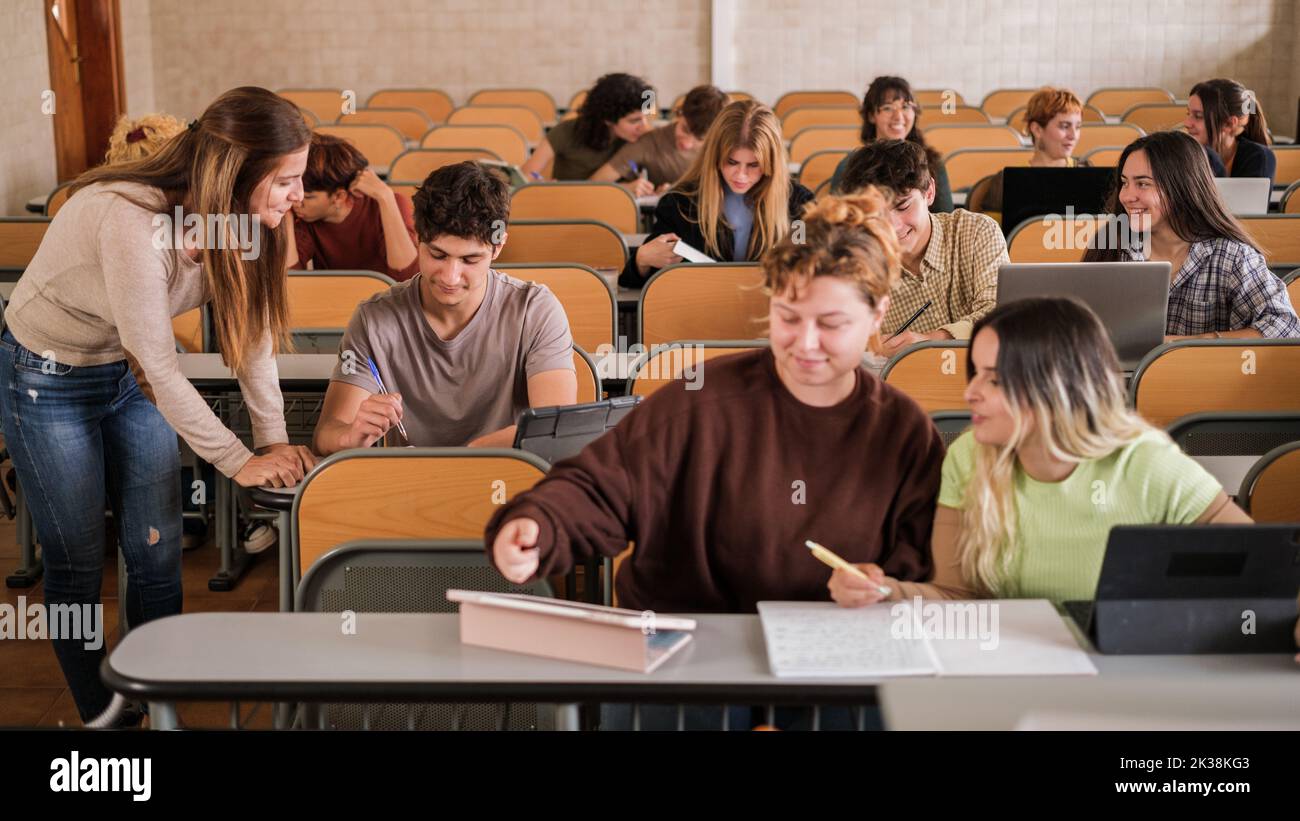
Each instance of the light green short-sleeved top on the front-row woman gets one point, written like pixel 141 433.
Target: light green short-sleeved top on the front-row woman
pixel 1064 527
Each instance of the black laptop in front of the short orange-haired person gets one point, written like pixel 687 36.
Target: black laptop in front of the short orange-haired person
pixel 1039 192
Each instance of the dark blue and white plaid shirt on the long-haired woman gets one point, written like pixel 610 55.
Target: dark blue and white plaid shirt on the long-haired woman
pixel 1225 286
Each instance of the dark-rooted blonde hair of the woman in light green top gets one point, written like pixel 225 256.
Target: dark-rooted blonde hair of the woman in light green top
pixel 1058 367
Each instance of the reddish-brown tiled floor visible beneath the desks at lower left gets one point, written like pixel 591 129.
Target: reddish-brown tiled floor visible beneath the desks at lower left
pixel 33 693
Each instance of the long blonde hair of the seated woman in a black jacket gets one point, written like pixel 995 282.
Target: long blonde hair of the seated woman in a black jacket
pixel 752 125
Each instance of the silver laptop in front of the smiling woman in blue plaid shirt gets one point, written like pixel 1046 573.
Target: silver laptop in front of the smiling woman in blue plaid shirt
pixel 1132 299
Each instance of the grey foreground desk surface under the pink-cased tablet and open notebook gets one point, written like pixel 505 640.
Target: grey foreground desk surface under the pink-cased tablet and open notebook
pixel 397 657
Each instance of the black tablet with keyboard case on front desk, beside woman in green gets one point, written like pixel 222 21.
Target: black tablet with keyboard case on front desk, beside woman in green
pixel 1195 589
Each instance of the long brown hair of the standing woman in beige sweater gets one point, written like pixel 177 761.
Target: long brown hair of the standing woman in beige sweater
pixel 211 170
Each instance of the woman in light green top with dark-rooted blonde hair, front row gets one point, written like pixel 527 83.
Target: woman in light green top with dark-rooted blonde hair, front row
pixel 1052 462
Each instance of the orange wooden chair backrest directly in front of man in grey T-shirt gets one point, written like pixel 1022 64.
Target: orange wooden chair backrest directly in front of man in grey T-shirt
pixel 405 494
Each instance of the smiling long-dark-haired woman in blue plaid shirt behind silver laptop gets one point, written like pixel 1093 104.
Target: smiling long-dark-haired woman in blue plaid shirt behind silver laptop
pixel 1221 286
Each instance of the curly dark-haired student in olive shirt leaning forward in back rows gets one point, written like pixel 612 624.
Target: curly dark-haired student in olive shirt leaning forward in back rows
pixel 618 111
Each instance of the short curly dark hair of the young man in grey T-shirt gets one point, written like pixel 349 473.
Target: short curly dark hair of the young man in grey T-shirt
pixel 463 201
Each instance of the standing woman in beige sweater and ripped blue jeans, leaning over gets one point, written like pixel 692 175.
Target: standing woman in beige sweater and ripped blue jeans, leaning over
pixel 92 393
